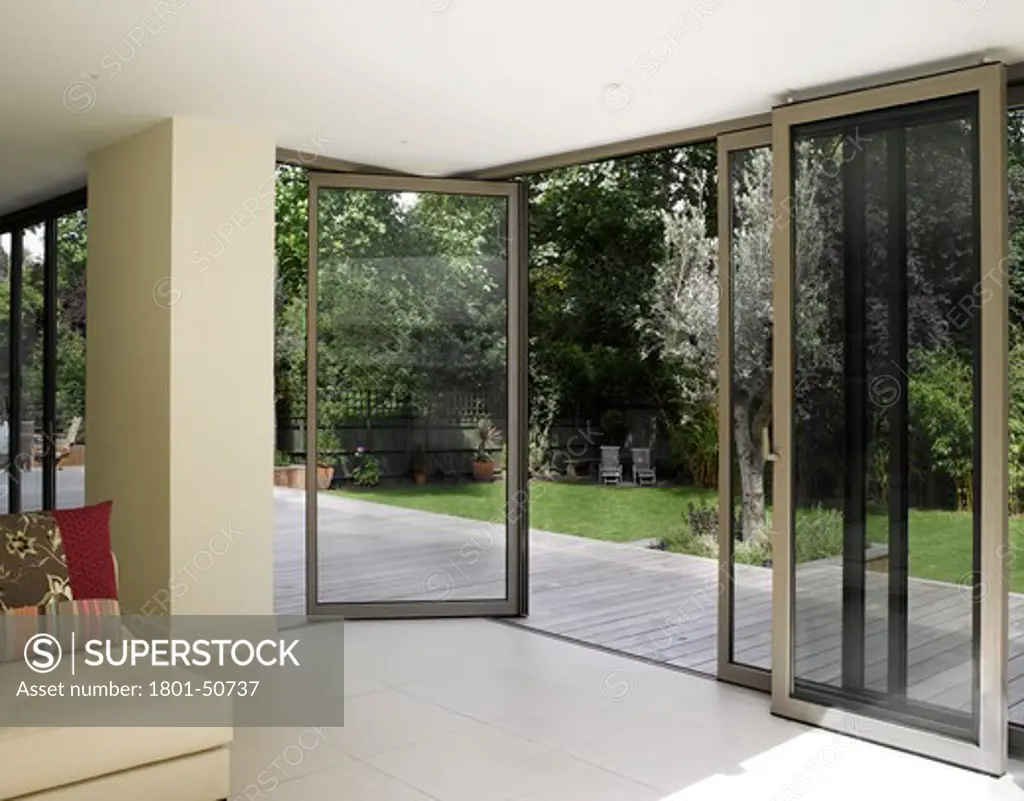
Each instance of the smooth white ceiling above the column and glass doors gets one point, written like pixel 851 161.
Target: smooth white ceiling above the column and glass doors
pixel 441 87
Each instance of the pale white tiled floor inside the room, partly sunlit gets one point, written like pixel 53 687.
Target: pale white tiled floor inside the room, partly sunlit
pixel 480 711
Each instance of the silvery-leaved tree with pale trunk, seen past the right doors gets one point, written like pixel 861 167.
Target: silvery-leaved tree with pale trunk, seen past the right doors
pixel 685 311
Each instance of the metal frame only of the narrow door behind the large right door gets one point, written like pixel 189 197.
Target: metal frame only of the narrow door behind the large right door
pixel 729 670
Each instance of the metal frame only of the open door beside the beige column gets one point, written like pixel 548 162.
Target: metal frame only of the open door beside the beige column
pixel 517 509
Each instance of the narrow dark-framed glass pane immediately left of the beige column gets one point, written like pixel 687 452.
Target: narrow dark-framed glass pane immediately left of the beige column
pixel 71 428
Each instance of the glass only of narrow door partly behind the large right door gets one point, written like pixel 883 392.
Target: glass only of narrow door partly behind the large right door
pixel 752 372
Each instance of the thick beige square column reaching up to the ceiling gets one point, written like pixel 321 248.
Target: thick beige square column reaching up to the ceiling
pixel 180 370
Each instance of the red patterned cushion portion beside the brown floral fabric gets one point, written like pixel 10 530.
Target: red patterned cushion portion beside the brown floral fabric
pixel 87 535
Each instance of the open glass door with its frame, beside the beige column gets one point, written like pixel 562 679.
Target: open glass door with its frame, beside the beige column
pixel 416 486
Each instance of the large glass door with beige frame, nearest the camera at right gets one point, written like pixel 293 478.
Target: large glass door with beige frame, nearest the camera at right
pixel 890 505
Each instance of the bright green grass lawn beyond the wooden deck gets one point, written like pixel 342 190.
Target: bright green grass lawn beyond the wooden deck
pixel 941 541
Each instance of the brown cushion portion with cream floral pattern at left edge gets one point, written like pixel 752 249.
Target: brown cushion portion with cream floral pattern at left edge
pixel 33 564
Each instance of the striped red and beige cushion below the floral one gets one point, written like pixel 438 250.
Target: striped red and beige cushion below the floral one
pixel 91 619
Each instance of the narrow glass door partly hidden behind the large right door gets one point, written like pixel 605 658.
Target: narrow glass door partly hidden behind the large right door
pixel 746 221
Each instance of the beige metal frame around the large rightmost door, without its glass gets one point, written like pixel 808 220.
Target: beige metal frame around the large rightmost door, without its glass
pixel 990 753
